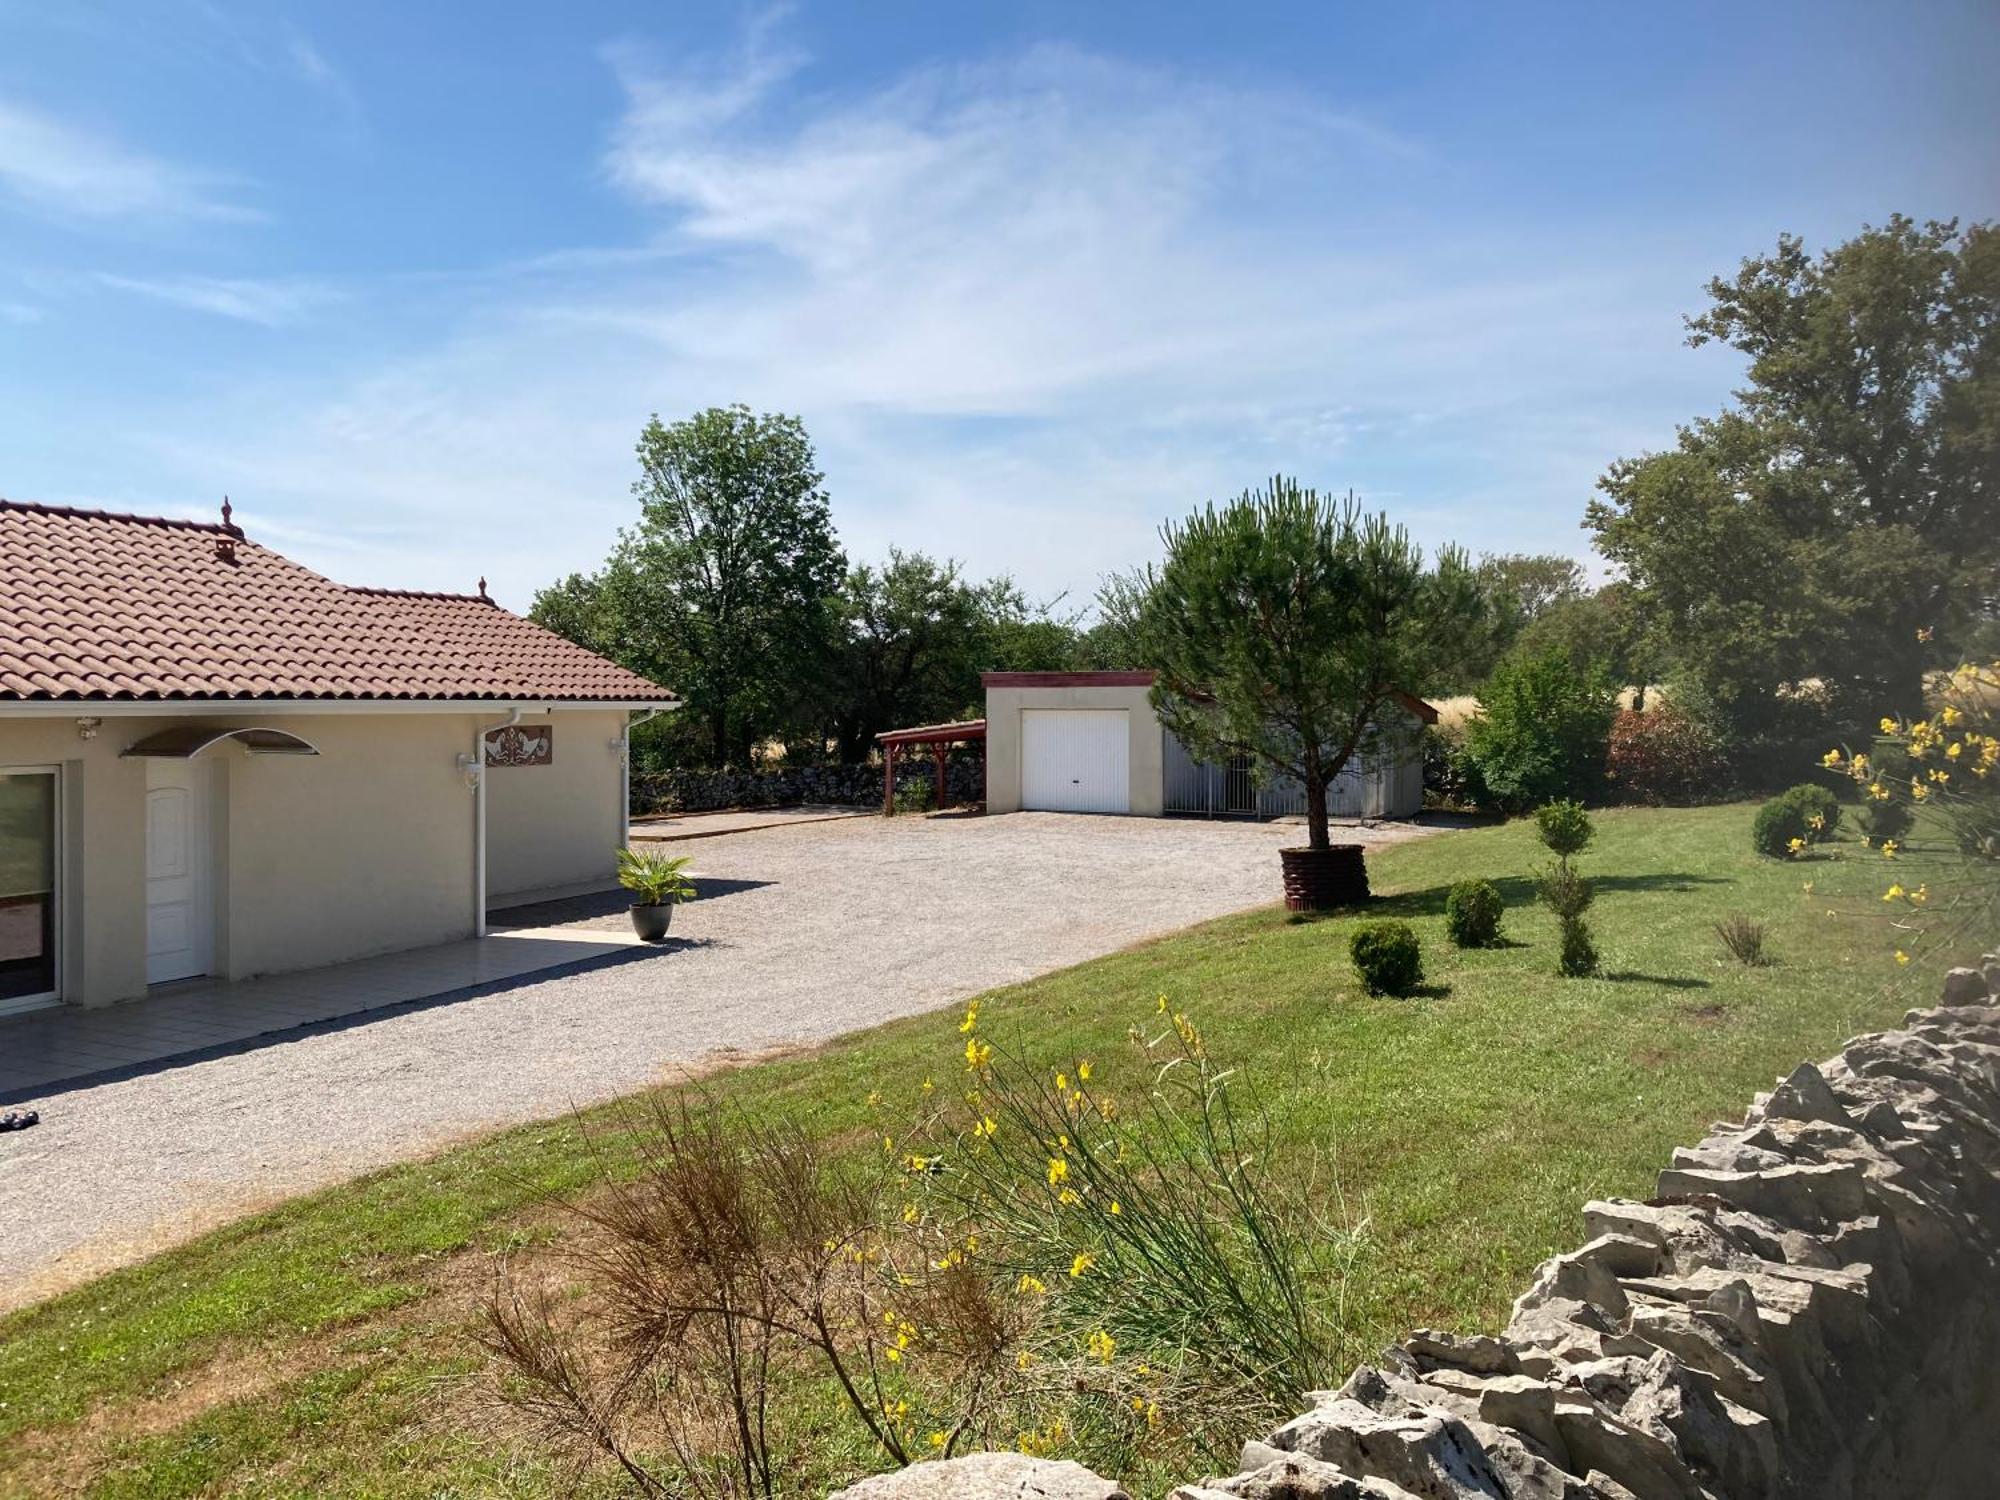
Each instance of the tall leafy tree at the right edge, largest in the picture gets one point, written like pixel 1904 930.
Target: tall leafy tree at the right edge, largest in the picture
pixel 1847 501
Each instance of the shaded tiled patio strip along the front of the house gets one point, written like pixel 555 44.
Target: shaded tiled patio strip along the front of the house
pixel 67 1045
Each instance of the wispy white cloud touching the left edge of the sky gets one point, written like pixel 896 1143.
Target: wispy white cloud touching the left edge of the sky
pixel 63 169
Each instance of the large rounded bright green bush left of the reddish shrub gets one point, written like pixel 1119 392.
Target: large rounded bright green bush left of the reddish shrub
pixel 1543 731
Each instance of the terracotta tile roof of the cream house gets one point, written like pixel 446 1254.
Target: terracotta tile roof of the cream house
pixel 99 605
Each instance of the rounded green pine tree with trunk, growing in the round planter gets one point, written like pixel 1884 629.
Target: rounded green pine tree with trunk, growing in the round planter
pixel 1287 627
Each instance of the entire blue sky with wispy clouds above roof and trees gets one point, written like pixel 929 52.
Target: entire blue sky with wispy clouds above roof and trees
pixel 407 279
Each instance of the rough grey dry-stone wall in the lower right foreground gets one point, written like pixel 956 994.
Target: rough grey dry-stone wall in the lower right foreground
pixel 1811 1307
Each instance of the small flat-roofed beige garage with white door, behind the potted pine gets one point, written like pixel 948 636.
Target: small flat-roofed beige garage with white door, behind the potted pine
pixel 1091 743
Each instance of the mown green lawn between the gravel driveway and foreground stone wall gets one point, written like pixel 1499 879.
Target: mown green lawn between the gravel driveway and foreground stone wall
pixel 323 1349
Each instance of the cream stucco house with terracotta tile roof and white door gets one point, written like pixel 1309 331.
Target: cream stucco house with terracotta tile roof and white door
pixel 215 761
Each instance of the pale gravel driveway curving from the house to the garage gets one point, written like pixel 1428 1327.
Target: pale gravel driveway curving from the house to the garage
pixel 805 933
